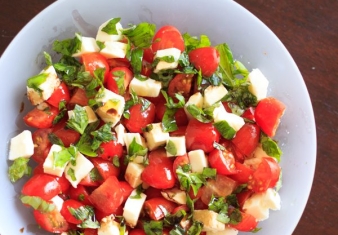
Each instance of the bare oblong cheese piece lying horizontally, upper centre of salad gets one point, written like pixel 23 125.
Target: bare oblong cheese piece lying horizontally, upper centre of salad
pixel 148 87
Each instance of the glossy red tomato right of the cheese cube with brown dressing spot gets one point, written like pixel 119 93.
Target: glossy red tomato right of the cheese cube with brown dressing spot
pixel 139 119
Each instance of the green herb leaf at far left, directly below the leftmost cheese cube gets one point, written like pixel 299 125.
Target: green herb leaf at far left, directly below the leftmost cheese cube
pixel 18 169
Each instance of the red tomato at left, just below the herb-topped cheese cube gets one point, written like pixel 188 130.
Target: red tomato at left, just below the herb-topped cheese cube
pixel 42 116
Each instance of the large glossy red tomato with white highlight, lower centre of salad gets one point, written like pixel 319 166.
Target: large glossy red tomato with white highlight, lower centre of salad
pixel 161 166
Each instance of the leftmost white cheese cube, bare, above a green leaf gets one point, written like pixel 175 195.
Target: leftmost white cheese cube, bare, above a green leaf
pixel 21 146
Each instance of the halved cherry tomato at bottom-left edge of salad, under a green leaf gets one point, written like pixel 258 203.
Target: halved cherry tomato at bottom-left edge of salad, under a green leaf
pixel 51 221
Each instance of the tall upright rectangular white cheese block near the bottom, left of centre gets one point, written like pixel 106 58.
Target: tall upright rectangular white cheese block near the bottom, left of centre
pixel 133 207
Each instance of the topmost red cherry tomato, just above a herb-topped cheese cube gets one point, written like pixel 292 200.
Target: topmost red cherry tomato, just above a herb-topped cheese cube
pixel 168 37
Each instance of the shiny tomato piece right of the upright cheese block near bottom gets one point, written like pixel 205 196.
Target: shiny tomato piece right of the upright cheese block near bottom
pixel 158 207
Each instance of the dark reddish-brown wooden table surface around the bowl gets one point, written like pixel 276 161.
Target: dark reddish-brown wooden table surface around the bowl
pixel 309 30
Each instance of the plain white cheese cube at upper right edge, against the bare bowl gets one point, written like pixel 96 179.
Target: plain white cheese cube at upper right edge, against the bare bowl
pixel 258 84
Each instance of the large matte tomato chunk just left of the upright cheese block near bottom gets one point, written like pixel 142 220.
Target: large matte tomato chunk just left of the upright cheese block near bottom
pixel 108 196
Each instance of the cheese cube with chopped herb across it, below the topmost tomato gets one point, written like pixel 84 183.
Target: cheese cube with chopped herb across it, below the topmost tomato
pixel 163 65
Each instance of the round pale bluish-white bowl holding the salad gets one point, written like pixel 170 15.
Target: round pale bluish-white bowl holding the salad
pixel 223 21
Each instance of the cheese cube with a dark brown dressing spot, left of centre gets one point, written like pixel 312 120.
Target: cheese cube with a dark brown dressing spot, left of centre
pixel 113 107
